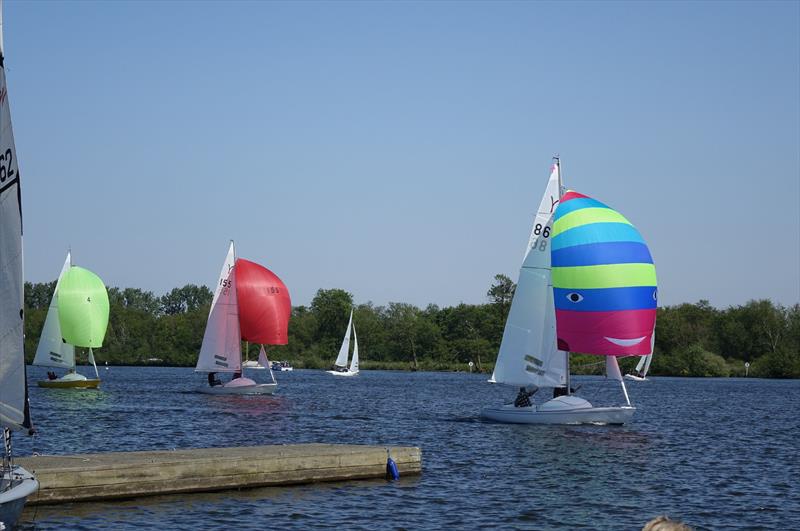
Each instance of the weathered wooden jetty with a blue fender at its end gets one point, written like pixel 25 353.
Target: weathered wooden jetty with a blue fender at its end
pixel 118 475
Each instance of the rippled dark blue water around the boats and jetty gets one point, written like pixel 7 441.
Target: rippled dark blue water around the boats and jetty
pixel 718 454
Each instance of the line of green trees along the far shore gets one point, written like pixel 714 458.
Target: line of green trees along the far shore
pixel 691 339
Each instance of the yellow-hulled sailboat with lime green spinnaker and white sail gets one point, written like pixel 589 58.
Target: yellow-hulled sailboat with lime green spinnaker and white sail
pixel 84 308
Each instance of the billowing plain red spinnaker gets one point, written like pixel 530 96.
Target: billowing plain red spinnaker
pixel 264 304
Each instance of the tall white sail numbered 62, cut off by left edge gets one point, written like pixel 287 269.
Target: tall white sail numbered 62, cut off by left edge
pixel 12 358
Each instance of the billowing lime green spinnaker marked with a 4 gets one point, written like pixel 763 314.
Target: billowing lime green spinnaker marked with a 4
pixel 82 308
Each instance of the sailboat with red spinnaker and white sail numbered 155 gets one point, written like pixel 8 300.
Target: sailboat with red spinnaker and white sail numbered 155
pixel 250 303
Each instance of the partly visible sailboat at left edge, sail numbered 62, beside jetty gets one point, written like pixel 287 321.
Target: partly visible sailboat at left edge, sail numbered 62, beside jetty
pixel 16 483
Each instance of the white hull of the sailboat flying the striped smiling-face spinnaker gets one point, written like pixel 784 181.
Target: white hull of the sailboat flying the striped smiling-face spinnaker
pixel 561 410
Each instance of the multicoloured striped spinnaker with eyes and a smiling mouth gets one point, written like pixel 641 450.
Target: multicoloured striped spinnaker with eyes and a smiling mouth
pixel 604 280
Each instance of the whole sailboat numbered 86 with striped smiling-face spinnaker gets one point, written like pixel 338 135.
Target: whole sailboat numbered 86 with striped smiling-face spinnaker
pixel 587 284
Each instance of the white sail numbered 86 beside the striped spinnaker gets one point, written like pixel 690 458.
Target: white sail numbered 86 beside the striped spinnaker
pixel 528 354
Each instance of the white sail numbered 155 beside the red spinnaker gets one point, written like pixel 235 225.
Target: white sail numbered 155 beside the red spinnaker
pixel 221 350
